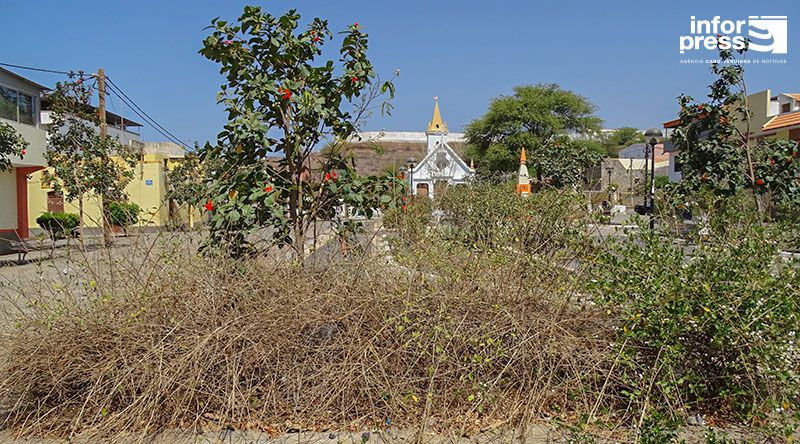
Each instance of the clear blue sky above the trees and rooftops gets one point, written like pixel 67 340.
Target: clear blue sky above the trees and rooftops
pixel 622 55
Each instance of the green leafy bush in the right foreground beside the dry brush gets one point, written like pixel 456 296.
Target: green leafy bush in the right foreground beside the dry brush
pixel 711 328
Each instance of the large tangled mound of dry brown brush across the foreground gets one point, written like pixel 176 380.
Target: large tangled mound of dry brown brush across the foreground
pixel 260 344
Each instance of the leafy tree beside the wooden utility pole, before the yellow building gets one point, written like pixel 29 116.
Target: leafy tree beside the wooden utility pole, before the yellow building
pixel 81 161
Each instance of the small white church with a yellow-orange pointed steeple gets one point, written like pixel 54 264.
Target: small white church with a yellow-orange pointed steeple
pixel 441 167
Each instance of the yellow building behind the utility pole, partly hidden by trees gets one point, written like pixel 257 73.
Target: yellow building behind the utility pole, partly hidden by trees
pixel 148 189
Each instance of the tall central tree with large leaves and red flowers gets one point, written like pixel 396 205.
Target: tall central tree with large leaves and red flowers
pixel 282 101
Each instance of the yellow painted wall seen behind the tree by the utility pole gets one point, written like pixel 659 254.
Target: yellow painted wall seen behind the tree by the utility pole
pixel 148 189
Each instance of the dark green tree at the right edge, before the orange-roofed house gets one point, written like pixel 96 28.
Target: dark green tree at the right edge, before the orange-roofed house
pixel 718 151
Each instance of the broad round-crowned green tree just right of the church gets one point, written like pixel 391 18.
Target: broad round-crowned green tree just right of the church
pixel 537 117
